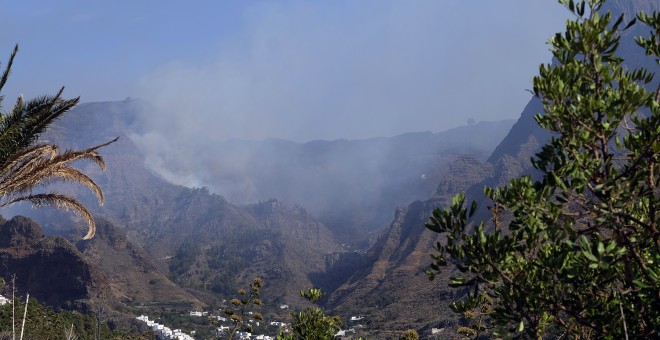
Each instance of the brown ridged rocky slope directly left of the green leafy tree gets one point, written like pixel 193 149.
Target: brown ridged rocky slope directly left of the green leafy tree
pixel 389 285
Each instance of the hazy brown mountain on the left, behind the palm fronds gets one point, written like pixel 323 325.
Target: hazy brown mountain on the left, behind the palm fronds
pixel 158 242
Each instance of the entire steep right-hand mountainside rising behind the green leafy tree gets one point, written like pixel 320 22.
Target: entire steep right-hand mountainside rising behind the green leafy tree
pixel 388 285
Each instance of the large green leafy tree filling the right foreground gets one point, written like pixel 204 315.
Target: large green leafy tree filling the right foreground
pixel 576 252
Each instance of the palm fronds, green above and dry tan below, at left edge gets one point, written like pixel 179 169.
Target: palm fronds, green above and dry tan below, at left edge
pixel 26 165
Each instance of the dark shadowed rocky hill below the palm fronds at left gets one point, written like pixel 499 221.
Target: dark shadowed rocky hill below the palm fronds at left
pixel 49 268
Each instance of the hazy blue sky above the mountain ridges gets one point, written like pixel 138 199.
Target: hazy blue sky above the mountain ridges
pixel 297 70
